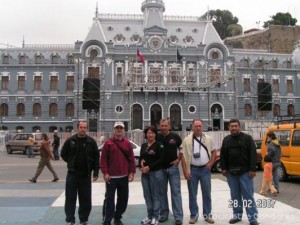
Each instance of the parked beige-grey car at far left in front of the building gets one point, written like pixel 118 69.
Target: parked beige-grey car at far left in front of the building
pixel 20 143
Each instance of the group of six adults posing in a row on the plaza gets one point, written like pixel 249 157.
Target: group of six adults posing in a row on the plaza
pixel 160 157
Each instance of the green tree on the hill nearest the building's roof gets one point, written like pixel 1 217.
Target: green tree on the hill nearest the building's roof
pixel 223 21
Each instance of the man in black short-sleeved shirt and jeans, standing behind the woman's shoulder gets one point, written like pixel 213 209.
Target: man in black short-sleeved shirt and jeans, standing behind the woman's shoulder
pixel 171 173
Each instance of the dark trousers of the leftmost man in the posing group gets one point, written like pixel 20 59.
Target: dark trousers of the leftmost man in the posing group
pixel 83 187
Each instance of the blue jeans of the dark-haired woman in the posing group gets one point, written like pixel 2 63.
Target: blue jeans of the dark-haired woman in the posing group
pixel 152 183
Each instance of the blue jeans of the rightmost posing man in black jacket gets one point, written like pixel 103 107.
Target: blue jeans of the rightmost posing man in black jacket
pixel 242 195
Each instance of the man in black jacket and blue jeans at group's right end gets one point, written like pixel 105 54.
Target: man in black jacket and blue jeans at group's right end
pixel 238 163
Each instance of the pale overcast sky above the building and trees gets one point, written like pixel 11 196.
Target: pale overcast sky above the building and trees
pixel 65 21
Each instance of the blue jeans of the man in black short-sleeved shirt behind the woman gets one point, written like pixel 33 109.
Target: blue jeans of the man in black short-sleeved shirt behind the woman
pixel 171 174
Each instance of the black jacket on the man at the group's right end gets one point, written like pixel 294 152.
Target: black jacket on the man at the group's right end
pixel 238 151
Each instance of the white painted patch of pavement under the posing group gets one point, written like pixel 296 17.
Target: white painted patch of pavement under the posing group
pixel 270 210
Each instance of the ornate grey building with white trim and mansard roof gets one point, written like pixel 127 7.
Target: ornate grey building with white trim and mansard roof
pixel 183 71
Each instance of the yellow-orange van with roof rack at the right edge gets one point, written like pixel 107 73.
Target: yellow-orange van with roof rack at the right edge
pixel 288 134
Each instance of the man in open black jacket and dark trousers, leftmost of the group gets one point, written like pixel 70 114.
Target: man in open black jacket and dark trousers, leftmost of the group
pixel 81 154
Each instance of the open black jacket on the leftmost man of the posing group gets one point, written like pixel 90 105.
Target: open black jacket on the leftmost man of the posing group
pixel 70 149
